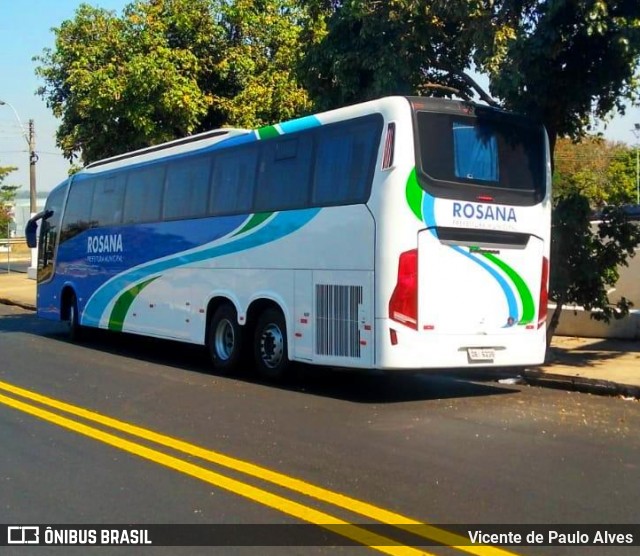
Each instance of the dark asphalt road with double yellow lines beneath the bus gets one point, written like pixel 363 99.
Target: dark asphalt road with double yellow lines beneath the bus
pixel 423 447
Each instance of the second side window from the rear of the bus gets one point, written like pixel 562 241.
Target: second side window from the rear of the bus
pixel 285 172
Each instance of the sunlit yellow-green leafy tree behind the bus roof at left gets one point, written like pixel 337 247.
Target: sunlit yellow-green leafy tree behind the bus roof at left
pixel 169 68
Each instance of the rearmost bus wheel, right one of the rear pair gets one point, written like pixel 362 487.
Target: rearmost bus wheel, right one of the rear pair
pixel 270 346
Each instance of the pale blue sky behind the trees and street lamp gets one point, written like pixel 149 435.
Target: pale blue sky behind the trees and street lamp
pixel 25 30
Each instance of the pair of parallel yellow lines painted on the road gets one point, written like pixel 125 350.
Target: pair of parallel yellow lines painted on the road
pixel 290 507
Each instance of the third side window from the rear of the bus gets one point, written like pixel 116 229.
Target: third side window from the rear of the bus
pixel 233 181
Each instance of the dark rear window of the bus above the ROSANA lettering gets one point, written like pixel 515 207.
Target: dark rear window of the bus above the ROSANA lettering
pixel 462 156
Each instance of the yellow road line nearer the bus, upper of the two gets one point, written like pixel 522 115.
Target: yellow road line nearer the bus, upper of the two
pixel 356 506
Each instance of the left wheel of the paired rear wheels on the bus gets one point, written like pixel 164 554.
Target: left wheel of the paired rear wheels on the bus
pixel 225 339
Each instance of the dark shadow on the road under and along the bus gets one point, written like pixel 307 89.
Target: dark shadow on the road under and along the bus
pixel 347 385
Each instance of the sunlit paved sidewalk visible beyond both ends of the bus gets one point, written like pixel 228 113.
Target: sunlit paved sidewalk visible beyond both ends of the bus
pixel 598 366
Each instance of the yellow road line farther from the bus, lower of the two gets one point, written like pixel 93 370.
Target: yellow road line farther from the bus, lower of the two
pixel 294 509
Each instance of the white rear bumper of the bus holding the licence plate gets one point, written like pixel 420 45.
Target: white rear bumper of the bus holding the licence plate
pixel 400 347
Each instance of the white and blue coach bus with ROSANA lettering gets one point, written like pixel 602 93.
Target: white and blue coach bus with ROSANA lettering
pixel 400 233
